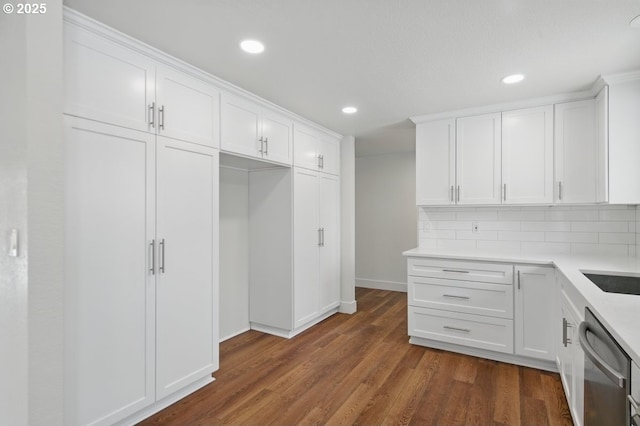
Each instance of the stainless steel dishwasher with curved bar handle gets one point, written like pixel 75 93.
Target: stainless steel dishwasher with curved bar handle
pixel 606 376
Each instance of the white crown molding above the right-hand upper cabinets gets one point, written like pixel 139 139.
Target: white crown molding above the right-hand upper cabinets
pixel 508 106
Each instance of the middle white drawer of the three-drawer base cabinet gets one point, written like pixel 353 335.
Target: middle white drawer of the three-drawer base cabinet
pixel 469 297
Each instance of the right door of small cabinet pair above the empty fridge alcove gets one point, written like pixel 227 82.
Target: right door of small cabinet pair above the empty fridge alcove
pixel 277 132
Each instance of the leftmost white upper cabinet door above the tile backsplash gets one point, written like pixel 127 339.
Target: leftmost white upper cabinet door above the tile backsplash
pixel 435 163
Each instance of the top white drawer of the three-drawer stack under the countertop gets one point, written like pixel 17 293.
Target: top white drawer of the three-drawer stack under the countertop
pixel 461 270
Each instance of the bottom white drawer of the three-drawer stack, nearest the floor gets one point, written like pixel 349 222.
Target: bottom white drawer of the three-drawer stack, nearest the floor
pixel 495 334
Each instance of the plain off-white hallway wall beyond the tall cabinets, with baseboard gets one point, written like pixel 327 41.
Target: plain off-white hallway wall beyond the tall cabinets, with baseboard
pixel 385 219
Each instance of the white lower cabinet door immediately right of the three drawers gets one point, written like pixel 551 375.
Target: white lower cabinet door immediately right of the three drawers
pixel 535 313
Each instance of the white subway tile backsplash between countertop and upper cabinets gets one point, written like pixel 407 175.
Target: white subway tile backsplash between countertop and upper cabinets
pixel 594 229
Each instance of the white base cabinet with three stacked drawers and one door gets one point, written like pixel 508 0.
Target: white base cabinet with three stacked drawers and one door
pixel 483 309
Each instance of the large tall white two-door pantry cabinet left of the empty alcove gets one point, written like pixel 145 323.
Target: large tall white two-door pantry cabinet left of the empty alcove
pixel 141 250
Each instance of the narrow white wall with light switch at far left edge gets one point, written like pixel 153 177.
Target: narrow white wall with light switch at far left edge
pixel 13 214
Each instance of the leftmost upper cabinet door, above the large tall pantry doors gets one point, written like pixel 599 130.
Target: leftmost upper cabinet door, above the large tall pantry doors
pixel 106 82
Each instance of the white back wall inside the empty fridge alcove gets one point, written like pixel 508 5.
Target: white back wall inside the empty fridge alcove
pixel 234 252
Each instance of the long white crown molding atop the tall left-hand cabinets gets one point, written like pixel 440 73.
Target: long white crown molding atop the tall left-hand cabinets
pixel 73 17
